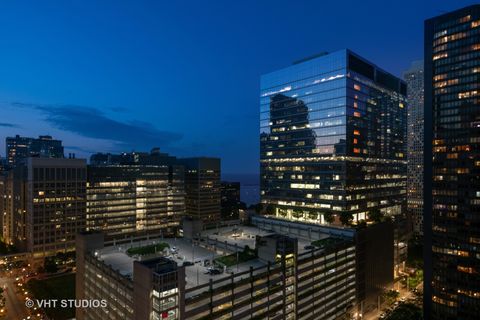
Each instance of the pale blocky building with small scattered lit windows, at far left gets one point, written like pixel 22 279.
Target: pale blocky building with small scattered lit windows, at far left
pixel 47 205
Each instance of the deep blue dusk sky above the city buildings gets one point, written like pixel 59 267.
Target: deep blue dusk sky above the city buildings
pixel 181 75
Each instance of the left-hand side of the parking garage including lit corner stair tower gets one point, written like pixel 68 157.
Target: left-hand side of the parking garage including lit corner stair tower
pixel 150 291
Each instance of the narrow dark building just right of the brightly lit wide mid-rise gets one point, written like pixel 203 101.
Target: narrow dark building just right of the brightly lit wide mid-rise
pixel 202 188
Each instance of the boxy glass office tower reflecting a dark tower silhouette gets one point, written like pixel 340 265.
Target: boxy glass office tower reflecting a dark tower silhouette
pixel 332 140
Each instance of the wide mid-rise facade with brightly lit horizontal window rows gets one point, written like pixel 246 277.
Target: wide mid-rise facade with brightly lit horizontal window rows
pixel 135 200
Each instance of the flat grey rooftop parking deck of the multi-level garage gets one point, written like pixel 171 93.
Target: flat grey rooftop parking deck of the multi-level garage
pixel 213 243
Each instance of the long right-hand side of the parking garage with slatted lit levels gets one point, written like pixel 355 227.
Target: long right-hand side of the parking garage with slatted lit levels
pixel 318 285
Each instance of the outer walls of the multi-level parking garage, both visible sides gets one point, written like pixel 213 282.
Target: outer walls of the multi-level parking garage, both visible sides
pixel 284 282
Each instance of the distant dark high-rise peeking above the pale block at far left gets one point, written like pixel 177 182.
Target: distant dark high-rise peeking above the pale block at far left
pixel 18 148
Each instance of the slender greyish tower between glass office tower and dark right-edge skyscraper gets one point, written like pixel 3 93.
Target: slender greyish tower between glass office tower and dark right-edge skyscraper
pixel 414 78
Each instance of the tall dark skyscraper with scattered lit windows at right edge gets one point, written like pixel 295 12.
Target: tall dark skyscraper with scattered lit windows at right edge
pixel 452 184
